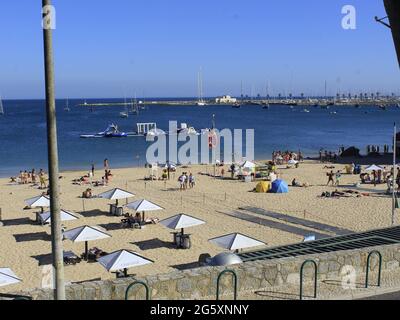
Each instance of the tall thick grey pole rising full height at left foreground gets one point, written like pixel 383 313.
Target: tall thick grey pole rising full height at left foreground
pixel 56 233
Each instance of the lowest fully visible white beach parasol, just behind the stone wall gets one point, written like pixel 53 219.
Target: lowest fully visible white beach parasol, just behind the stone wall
pixel 122 260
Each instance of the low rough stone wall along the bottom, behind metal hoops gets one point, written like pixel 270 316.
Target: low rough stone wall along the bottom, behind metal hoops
pixel 201 283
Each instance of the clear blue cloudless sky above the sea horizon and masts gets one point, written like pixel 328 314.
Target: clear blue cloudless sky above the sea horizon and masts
pixel 156 47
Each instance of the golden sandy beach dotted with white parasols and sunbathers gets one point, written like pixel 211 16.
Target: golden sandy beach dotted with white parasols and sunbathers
pixel 26 245
